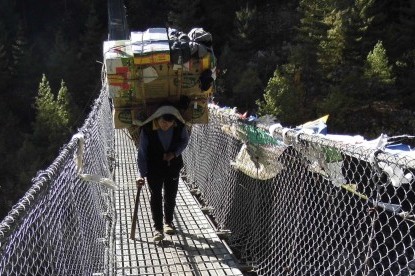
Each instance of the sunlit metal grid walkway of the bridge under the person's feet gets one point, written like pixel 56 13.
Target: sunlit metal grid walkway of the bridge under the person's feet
pixel 194 250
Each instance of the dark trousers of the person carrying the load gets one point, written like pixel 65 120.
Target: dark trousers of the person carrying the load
pixel 156 185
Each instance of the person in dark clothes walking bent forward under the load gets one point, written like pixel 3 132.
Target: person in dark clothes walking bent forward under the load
pixel 162 140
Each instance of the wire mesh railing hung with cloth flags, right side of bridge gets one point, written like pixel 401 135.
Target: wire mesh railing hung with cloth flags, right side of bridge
pixel 309 206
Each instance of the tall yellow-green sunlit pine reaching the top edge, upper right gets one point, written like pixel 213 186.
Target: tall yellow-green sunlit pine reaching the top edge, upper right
pixel 342 54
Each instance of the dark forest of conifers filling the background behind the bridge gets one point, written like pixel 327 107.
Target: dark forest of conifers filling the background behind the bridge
pixel 296 60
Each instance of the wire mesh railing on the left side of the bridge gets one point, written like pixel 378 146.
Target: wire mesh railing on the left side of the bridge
pixel 62 225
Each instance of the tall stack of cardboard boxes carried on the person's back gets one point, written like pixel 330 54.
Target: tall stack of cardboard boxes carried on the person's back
pixel 141 74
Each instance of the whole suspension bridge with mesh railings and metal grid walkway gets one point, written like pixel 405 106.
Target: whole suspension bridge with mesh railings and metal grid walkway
pixel 254 198
